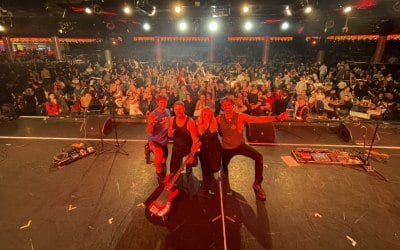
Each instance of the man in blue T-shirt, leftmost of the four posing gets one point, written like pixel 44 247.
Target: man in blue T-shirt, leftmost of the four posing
pixel 157 128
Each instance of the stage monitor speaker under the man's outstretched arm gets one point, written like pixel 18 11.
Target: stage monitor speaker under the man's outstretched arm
pixel 260 132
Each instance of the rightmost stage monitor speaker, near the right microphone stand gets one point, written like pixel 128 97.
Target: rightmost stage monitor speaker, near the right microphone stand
pixel 357 133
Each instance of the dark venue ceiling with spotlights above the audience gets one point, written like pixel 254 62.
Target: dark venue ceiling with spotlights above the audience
pixel 46 17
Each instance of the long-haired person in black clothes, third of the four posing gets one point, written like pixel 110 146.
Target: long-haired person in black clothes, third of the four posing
pixel 210 149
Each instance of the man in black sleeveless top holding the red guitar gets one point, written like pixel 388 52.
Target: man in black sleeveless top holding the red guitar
pixel 183 131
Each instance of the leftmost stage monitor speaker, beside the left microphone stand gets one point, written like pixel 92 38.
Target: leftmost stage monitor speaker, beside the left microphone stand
pixel 96 124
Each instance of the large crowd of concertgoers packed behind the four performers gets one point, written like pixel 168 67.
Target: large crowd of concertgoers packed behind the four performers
pixel 129 87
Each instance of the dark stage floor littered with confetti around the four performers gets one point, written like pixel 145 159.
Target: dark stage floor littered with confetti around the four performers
pixel 98 202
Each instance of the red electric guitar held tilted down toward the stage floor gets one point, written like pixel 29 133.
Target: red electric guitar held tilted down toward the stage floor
pixel 162 205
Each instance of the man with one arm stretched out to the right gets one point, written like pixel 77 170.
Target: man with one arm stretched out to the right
pixel 233 143
